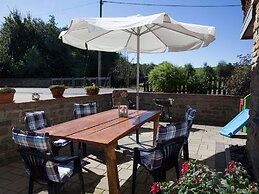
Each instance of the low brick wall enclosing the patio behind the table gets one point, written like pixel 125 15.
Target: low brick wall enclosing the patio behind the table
pixel 211 110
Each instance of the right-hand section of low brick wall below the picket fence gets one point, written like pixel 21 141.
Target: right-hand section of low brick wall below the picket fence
pixel 211 109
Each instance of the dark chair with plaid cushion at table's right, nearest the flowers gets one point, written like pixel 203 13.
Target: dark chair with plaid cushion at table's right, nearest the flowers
pixel 158 160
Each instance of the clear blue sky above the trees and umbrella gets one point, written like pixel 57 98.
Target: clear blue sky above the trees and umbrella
pixel 227 20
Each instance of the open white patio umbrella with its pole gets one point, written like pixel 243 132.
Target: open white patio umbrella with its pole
pixel 146 34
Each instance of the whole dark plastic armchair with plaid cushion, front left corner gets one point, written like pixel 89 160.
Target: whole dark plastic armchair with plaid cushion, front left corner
pixel 40 164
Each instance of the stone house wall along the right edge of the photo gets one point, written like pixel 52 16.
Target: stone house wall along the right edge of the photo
pixel 253 135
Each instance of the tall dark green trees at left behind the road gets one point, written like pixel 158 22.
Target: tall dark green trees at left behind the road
pixel 30 47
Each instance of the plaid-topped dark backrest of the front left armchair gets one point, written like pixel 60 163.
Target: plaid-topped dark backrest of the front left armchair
pixel 36 152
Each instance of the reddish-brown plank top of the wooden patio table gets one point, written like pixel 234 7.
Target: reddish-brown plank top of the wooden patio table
pixel 102 128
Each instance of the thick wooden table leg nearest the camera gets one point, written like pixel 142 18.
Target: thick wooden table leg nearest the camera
pixel 112 171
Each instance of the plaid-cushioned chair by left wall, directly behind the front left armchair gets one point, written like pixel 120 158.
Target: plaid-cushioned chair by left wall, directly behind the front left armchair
pixel 37 120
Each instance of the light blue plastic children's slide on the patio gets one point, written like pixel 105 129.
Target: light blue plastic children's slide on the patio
pixel 235 124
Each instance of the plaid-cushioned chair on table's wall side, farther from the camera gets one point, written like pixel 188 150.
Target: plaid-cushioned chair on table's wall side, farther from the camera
pixel 82 110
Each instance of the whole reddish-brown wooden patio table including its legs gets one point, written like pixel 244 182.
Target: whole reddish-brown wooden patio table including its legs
pixel 104 129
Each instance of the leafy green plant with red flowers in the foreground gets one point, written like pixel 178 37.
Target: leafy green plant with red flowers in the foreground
pixel 198 178
